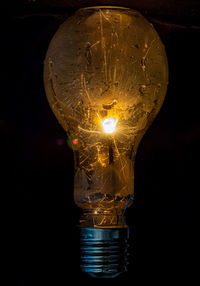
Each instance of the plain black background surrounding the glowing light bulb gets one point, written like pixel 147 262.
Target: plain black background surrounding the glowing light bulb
pixel 40 217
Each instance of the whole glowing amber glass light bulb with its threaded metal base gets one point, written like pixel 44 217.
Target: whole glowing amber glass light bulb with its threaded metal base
pixel 105 76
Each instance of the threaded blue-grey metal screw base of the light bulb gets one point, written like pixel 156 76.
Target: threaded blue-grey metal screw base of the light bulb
pixel 104 251
